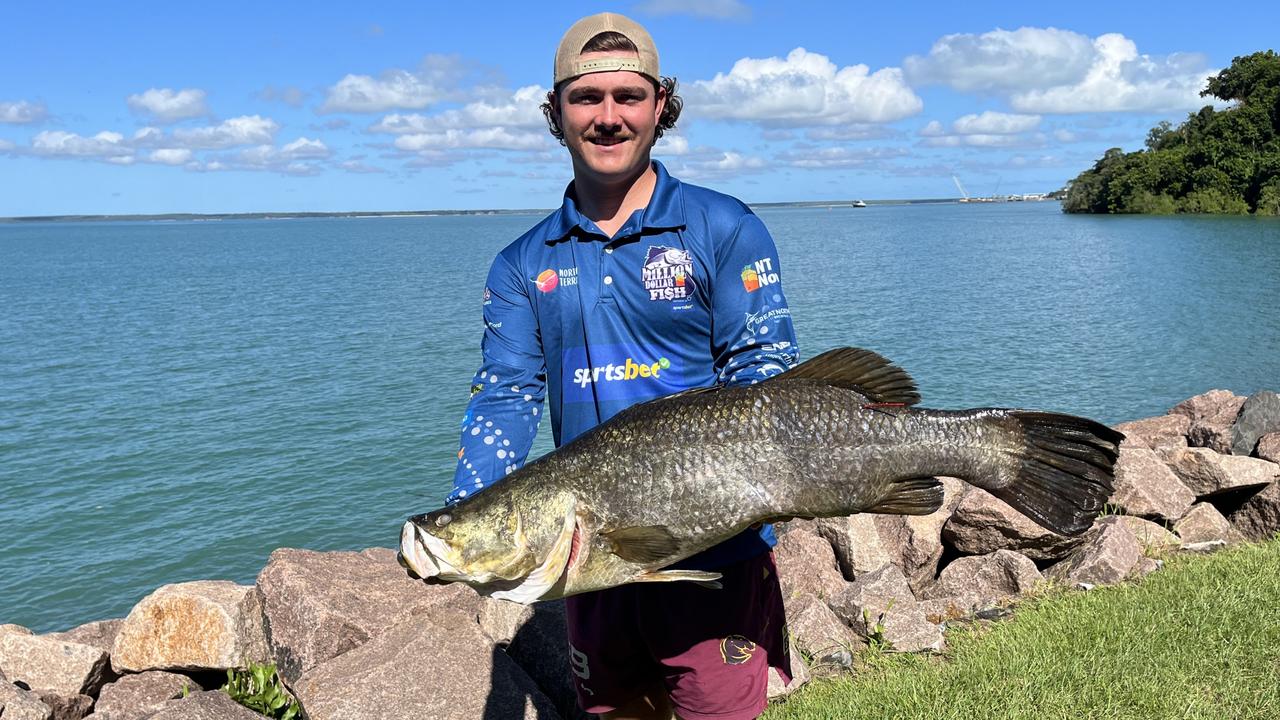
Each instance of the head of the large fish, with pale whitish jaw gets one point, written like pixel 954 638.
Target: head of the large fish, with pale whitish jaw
pixel 508 546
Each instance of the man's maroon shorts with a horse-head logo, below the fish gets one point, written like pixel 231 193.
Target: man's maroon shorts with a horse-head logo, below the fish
pixel 712 649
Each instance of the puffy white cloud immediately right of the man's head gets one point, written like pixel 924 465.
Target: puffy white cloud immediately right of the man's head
pixel 804 90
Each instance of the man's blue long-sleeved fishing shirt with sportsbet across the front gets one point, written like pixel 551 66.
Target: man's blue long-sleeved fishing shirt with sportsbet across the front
pixel 687 294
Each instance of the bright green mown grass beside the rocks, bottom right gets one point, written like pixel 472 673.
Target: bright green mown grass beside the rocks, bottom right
pixel 1197 640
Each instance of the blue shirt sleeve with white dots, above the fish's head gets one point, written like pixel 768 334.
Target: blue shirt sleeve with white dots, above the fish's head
pixel 508 391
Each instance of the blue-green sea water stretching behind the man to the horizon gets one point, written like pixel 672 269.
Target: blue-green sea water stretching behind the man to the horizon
pixel 177 400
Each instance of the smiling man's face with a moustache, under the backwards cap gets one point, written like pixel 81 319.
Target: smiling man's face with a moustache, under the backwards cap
pixel 610 122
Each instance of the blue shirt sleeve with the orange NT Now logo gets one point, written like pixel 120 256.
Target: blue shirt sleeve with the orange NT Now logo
pixel 752 334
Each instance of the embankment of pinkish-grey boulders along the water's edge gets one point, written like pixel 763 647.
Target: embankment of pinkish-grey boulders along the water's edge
pixel 355 639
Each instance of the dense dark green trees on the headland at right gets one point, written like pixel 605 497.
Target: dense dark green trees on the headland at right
pixel 1223 162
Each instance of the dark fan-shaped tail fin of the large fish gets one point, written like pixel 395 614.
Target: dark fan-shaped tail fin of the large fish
pixel 1067 475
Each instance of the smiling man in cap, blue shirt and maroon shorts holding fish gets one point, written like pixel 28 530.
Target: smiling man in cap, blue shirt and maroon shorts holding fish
pixel 639 286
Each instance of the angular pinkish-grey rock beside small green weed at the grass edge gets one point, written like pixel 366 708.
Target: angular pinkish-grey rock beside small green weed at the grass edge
pixel 880 607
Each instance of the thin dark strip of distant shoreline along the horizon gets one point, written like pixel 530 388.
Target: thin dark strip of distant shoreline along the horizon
pixel 212 217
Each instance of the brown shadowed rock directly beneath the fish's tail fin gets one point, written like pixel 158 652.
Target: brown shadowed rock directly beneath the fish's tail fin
pixel 984 525
